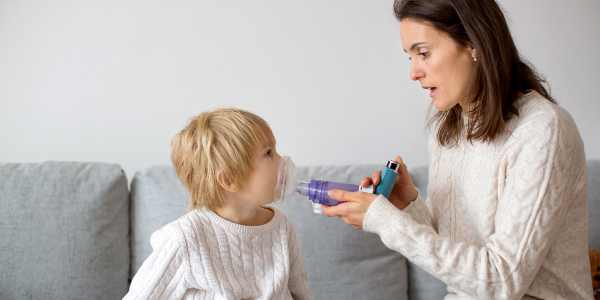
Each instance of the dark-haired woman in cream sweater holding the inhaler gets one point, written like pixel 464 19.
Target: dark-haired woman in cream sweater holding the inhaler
pixel 506 216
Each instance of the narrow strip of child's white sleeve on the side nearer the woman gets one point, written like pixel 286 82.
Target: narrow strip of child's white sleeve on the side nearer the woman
pixel 298 283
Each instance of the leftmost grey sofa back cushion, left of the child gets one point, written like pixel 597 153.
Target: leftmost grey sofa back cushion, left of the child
pixel 63 231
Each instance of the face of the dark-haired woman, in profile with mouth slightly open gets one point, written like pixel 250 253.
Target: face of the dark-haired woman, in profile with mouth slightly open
pixel 437 62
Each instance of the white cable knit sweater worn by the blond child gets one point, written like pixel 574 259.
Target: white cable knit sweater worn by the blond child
pixel 204 256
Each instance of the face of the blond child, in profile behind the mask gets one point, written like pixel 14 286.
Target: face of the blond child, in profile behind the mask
pixel 259 188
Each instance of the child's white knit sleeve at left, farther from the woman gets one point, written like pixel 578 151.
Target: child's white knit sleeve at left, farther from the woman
pixel 163 273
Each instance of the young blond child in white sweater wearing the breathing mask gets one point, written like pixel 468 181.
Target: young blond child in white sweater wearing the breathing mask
pixel 229 245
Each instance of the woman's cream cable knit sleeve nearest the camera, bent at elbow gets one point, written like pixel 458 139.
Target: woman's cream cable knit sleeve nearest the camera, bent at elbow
pixel 544 172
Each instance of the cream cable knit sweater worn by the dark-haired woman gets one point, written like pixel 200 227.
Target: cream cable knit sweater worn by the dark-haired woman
pixel 503 220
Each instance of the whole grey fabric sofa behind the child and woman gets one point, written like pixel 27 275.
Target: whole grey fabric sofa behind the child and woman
pixel 75 231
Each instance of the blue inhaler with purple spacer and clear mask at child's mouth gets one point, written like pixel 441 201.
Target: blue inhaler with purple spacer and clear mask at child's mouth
pixel 316 190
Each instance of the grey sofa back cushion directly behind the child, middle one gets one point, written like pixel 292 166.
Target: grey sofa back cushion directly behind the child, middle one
pixel 342 262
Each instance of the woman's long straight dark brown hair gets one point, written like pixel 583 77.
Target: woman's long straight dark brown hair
pixel 499 75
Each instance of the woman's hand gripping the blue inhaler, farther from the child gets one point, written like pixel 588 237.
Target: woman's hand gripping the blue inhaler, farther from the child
pixel 404 191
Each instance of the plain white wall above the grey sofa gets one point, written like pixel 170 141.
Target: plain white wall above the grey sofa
pixel 113 81
